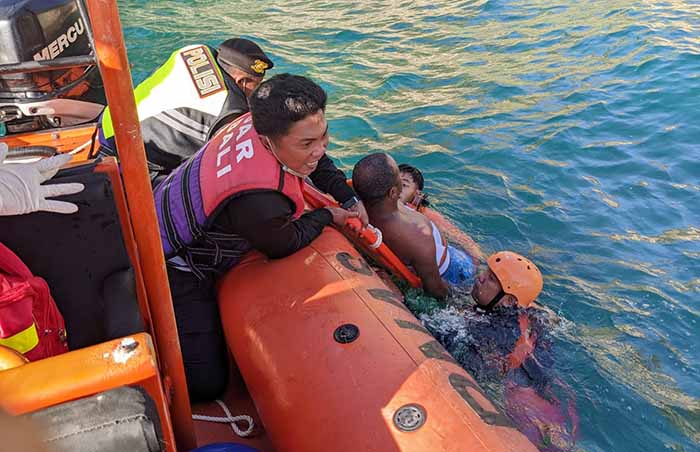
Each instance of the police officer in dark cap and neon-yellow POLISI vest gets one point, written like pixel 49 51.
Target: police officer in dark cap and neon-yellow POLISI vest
pixel 186 100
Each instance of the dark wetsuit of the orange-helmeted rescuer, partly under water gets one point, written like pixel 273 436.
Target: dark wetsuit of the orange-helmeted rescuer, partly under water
pixel 541 405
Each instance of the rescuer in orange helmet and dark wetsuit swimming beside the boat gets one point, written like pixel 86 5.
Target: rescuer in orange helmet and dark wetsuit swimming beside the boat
pixel 503 340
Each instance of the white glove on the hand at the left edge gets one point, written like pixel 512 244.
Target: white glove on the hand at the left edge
pixel 21 190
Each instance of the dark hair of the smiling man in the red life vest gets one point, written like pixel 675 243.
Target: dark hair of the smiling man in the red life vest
pixel 283 100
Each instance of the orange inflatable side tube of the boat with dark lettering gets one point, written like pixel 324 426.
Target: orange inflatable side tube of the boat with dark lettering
pixel 335 361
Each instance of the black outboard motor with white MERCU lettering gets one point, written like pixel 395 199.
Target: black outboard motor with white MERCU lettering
pixel 38 31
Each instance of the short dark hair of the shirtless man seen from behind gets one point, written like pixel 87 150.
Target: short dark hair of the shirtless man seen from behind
pixel 373 177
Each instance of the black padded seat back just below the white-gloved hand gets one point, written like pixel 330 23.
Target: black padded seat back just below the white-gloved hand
pixel 83 258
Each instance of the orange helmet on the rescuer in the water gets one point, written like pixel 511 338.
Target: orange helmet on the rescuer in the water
pixel 518 276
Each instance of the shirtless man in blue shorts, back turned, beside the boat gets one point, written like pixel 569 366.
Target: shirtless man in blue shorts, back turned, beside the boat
pixel 412 236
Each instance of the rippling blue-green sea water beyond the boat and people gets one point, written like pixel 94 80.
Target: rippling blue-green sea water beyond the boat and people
pixel 567 131
